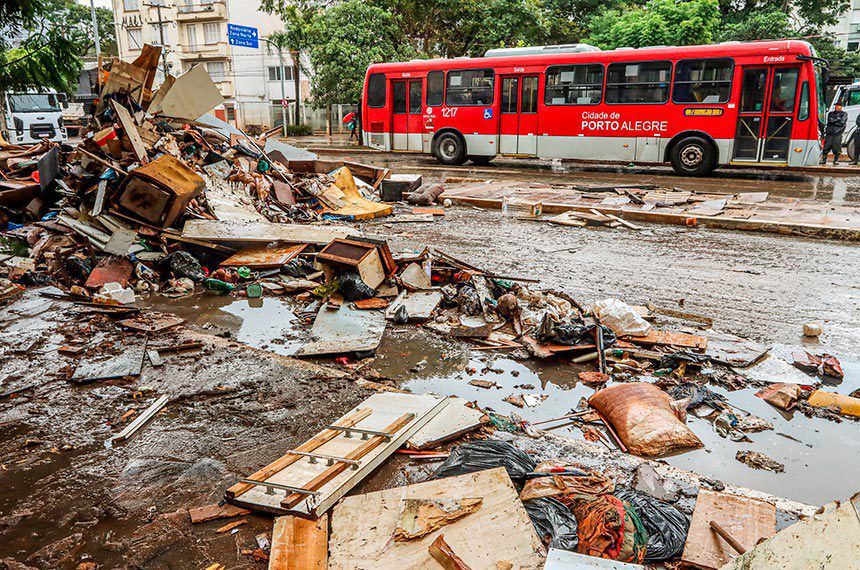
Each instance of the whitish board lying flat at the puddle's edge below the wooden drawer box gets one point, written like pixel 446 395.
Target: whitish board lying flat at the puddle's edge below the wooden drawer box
pixel 345 329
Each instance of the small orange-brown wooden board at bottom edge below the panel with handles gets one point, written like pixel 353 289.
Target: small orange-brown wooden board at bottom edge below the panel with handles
pixel 299 544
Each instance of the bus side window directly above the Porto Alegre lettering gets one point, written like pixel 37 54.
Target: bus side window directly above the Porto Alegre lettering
pixel 643 82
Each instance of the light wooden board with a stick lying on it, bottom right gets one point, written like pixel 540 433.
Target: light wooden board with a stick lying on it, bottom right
pixel 745 519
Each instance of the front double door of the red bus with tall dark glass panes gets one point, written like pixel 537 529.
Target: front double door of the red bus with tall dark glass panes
pixel 765 114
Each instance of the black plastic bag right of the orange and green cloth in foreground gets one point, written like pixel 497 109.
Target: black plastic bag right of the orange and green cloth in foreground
pixel 667 526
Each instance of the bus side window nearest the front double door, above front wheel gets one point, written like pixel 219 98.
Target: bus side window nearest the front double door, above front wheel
pixel 703 81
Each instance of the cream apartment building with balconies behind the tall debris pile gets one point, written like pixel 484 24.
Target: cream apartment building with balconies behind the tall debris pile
pixel 195 32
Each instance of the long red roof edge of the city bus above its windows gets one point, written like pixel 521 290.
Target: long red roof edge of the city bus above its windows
pixel 726 49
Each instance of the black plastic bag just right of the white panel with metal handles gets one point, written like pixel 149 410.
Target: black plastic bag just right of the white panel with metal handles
pixel 489 454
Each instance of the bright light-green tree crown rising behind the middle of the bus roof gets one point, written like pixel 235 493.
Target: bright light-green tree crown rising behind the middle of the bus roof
pixel 659 22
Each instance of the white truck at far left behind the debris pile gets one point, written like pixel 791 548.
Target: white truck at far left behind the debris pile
pixel 35 115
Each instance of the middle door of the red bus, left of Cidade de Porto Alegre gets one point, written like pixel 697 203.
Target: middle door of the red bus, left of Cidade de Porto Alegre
pixel 518 115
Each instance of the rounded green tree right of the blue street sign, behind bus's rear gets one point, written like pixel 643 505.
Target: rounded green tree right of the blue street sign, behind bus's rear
pixel 344 40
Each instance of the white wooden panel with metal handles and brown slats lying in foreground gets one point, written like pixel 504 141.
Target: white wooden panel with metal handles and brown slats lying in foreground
pixel 387 408
